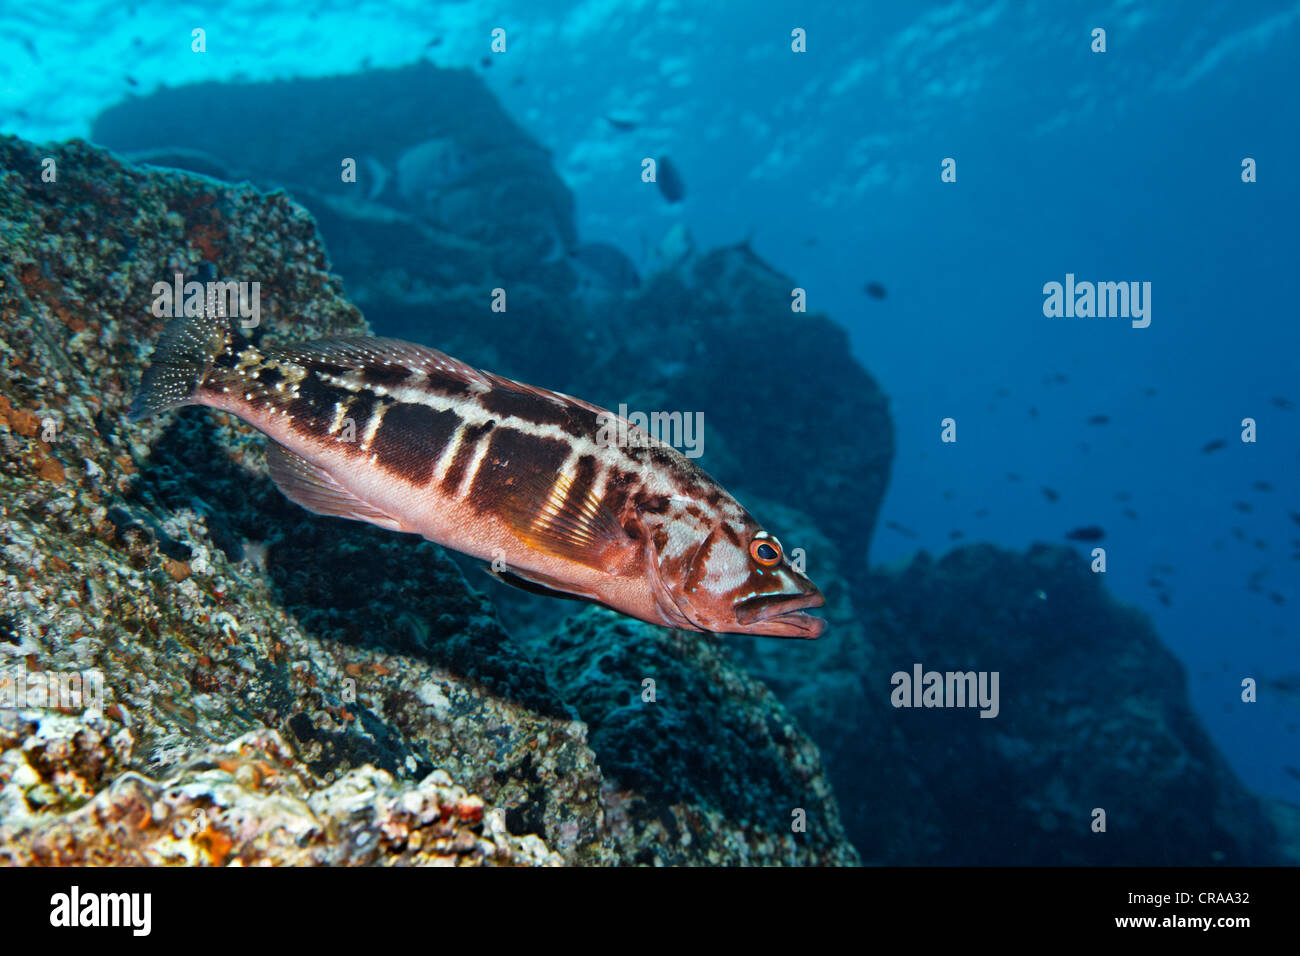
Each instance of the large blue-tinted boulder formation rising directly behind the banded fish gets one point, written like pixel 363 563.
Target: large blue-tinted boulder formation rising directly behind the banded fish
pixel 798 421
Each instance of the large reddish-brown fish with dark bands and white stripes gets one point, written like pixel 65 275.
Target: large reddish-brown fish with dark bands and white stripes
pixel 558 495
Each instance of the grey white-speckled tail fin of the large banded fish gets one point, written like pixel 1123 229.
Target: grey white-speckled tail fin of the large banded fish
pixel 181 362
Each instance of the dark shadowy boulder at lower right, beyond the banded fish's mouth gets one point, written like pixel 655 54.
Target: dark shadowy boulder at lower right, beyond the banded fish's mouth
pixel 1094 715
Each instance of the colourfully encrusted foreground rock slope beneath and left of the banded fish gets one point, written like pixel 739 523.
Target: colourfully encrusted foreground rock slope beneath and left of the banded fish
pixel 263 667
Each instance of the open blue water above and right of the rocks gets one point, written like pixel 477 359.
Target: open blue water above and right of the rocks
pixel 1124 166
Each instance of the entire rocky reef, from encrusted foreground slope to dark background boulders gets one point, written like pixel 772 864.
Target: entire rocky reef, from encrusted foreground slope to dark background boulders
pixel 289 689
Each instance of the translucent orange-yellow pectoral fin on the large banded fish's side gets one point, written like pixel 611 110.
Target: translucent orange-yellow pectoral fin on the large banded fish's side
pixel 547 516
